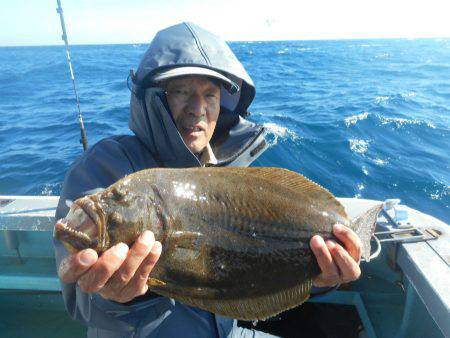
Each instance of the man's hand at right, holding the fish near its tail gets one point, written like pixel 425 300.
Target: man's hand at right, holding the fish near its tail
pixel 338 265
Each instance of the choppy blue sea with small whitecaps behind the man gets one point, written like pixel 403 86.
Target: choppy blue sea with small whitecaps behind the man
pixel 363 118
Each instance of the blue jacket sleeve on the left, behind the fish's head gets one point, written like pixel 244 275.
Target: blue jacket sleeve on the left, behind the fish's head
pixel 102 165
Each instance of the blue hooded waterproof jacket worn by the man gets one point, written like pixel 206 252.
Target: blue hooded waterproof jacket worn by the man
pixel 157 143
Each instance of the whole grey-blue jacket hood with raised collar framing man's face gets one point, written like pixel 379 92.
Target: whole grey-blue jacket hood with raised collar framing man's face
pixel 180 46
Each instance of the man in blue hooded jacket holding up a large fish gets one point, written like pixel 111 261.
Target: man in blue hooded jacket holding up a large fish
pixel 188 103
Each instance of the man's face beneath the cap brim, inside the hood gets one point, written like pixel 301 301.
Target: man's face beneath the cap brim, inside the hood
pixel 195 105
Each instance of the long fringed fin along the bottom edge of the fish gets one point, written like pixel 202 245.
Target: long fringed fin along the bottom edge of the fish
pixel 256 308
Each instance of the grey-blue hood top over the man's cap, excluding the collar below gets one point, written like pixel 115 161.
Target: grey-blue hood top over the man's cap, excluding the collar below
pixel 187 44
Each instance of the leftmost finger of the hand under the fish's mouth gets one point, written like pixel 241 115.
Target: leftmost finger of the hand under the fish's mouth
pixel 74 266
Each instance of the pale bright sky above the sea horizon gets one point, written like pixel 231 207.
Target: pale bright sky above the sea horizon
pixel 35 22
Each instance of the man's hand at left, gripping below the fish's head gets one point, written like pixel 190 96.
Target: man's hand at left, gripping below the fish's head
pixel 120 274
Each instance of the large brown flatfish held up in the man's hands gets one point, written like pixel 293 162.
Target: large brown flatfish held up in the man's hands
pixel 235 240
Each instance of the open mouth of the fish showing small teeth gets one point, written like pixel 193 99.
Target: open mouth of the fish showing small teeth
pixel 79 230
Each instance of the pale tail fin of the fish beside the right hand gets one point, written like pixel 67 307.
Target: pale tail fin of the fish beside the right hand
pixel 364 226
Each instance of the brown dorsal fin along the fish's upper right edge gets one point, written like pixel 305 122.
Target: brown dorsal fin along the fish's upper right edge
pixel 295 182
